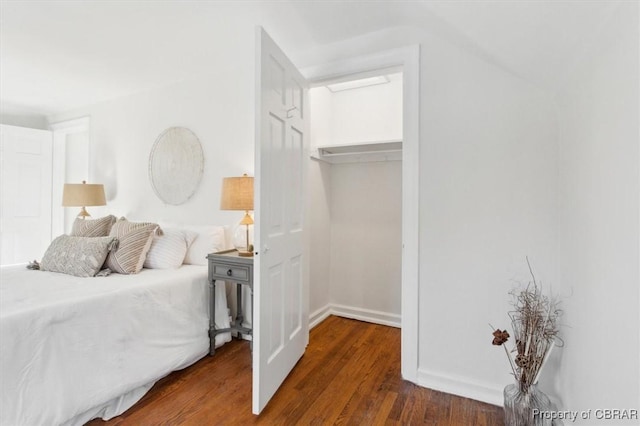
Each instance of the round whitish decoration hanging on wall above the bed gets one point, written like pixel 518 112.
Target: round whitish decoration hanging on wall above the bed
pixel 176 164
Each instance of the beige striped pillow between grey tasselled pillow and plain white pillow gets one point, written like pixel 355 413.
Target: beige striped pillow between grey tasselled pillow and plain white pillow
pixel 134 240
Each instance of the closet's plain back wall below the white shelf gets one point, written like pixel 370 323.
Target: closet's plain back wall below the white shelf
pixel 366 238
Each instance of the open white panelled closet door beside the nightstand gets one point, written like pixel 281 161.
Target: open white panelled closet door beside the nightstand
pixel 281 282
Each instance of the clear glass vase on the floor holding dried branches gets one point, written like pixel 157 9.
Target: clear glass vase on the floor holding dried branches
pixel 526 407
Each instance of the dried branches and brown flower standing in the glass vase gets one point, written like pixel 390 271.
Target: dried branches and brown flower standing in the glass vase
pixel 534 323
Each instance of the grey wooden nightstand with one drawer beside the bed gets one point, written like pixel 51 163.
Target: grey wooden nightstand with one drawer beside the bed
pixel 229 266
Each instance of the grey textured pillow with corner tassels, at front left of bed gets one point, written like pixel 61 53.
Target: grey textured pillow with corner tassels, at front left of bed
pixel 79 256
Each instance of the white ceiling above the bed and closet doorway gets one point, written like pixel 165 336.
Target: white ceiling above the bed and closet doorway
pixel 60 55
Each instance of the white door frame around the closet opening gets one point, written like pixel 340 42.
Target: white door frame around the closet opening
pixel 408 58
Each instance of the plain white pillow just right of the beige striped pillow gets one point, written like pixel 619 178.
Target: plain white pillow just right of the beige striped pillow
pixel 169 249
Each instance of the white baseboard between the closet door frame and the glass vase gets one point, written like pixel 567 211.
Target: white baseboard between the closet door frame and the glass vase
pixel 461 387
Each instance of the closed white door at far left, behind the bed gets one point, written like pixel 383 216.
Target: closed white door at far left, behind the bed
pixel 25 203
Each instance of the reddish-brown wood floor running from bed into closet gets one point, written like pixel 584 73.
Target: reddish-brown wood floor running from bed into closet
pixel 349 375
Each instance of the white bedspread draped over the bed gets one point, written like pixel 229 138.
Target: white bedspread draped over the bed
pixel 75 348
